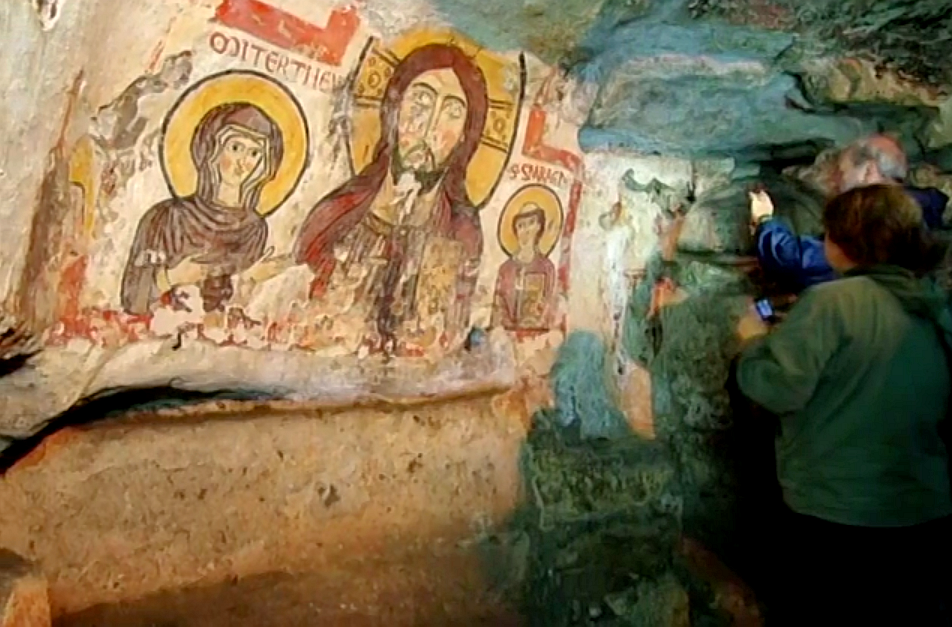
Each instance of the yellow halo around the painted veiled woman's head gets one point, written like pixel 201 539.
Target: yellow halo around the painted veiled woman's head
pixel 239 87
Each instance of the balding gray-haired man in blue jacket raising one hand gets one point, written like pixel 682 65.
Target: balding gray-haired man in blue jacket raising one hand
pixel 799 261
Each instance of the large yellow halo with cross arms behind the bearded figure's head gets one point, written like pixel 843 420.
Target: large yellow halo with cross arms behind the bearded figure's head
pixel 505 85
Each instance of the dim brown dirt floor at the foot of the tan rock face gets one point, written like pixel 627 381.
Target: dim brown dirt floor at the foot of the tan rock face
pixel 426 592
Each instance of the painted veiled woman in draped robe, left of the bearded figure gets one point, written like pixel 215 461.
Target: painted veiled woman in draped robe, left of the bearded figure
pixel 210 236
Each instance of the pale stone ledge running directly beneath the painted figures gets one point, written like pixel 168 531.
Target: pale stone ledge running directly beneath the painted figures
pixel 57 379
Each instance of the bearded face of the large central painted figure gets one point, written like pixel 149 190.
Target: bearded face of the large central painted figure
pixel 431 120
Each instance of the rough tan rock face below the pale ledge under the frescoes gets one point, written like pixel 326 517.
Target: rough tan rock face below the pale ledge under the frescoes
pixel 178 498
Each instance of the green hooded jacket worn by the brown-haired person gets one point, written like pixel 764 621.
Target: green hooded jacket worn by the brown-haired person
pixel 859 377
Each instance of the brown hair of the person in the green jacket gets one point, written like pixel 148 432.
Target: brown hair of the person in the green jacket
pixel 881 224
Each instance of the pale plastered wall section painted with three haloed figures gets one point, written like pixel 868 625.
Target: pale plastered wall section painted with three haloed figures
pixel 113 155
